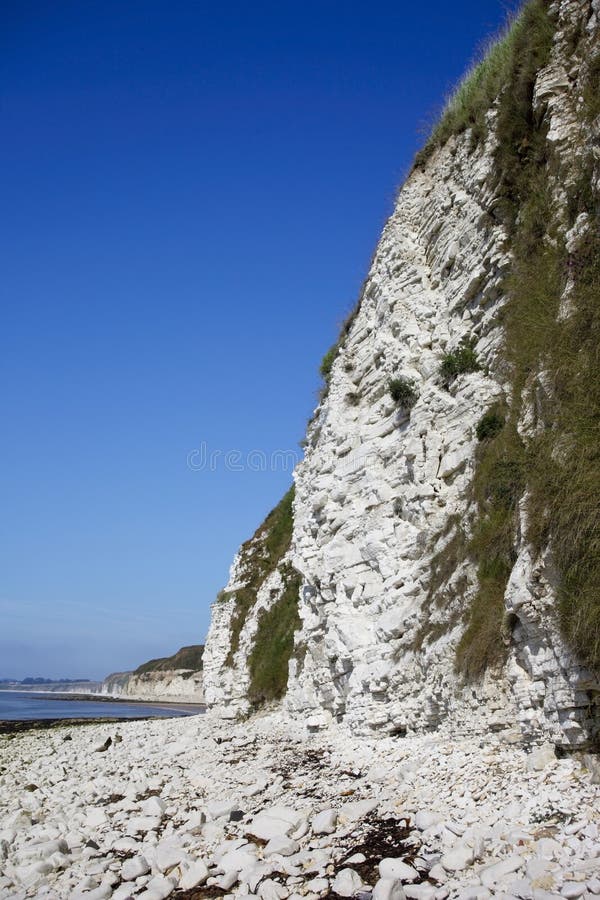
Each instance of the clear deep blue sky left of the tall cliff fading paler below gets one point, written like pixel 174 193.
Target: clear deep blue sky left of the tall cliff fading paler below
pixel 191 193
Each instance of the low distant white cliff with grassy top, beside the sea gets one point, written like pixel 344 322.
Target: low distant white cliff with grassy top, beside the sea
pixel 176 678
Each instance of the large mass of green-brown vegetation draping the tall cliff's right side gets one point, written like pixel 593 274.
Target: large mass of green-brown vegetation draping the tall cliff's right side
pixel 553 351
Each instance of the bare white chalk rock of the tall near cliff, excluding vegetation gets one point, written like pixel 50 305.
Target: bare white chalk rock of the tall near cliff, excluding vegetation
pixel 386 488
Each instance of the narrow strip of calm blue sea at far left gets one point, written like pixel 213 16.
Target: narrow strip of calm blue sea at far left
pixel 25 705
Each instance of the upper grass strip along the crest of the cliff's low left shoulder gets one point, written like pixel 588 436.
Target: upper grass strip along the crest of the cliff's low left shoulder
pixel 259 558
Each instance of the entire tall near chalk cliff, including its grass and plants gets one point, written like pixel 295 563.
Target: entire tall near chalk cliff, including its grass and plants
pixel 439 558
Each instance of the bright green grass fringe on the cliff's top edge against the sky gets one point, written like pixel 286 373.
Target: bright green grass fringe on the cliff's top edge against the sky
pixel 478 91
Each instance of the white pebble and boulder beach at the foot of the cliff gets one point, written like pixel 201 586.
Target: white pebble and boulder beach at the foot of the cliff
pixel 198 807
